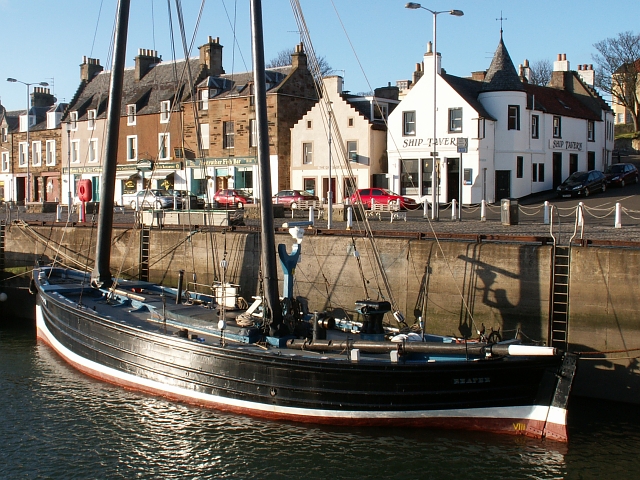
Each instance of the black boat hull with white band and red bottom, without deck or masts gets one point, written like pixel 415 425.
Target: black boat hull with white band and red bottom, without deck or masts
pixel 516 396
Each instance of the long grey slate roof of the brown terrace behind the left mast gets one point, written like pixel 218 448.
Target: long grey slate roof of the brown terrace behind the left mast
pixel 157 85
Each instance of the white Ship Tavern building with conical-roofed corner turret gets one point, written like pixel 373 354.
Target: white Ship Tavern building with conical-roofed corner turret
pixel 522 138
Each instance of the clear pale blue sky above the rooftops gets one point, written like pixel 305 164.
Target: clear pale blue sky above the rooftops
pixel 371 43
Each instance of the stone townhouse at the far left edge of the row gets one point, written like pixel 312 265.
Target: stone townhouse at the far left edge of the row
pixel 30 154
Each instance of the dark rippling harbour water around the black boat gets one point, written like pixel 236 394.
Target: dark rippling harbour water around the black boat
pixel 58 423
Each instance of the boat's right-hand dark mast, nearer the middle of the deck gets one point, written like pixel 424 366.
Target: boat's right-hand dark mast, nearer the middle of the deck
pixel 270 271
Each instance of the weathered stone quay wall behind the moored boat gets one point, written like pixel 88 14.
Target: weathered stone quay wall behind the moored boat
pixel 455 286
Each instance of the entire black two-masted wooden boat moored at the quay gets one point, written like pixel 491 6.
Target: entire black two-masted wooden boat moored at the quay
pixel 147 337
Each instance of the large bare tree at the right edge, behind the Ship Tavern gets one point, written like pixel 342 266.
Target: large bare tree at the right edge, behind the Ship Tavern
pixel 618 74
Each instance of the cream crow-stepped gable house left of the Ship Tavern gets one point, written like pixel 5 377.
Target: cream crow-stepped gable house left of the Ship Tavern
pixel 358 142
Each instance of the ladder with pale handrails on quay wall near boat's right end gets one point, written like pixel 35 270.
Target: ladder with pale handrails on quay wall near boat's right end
pixel 560 281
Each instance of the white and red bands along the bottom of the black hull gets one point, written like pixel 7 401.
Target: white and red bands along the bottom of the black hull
pixel 532 421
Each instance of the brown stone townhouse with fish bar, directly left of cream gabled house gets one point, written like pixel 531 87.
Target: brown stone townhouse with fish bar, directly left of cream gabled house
pixel 225 129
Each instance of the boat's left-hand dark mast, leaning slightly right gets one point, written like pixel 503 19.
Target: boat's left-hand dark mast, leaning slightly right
pixel 101 274
